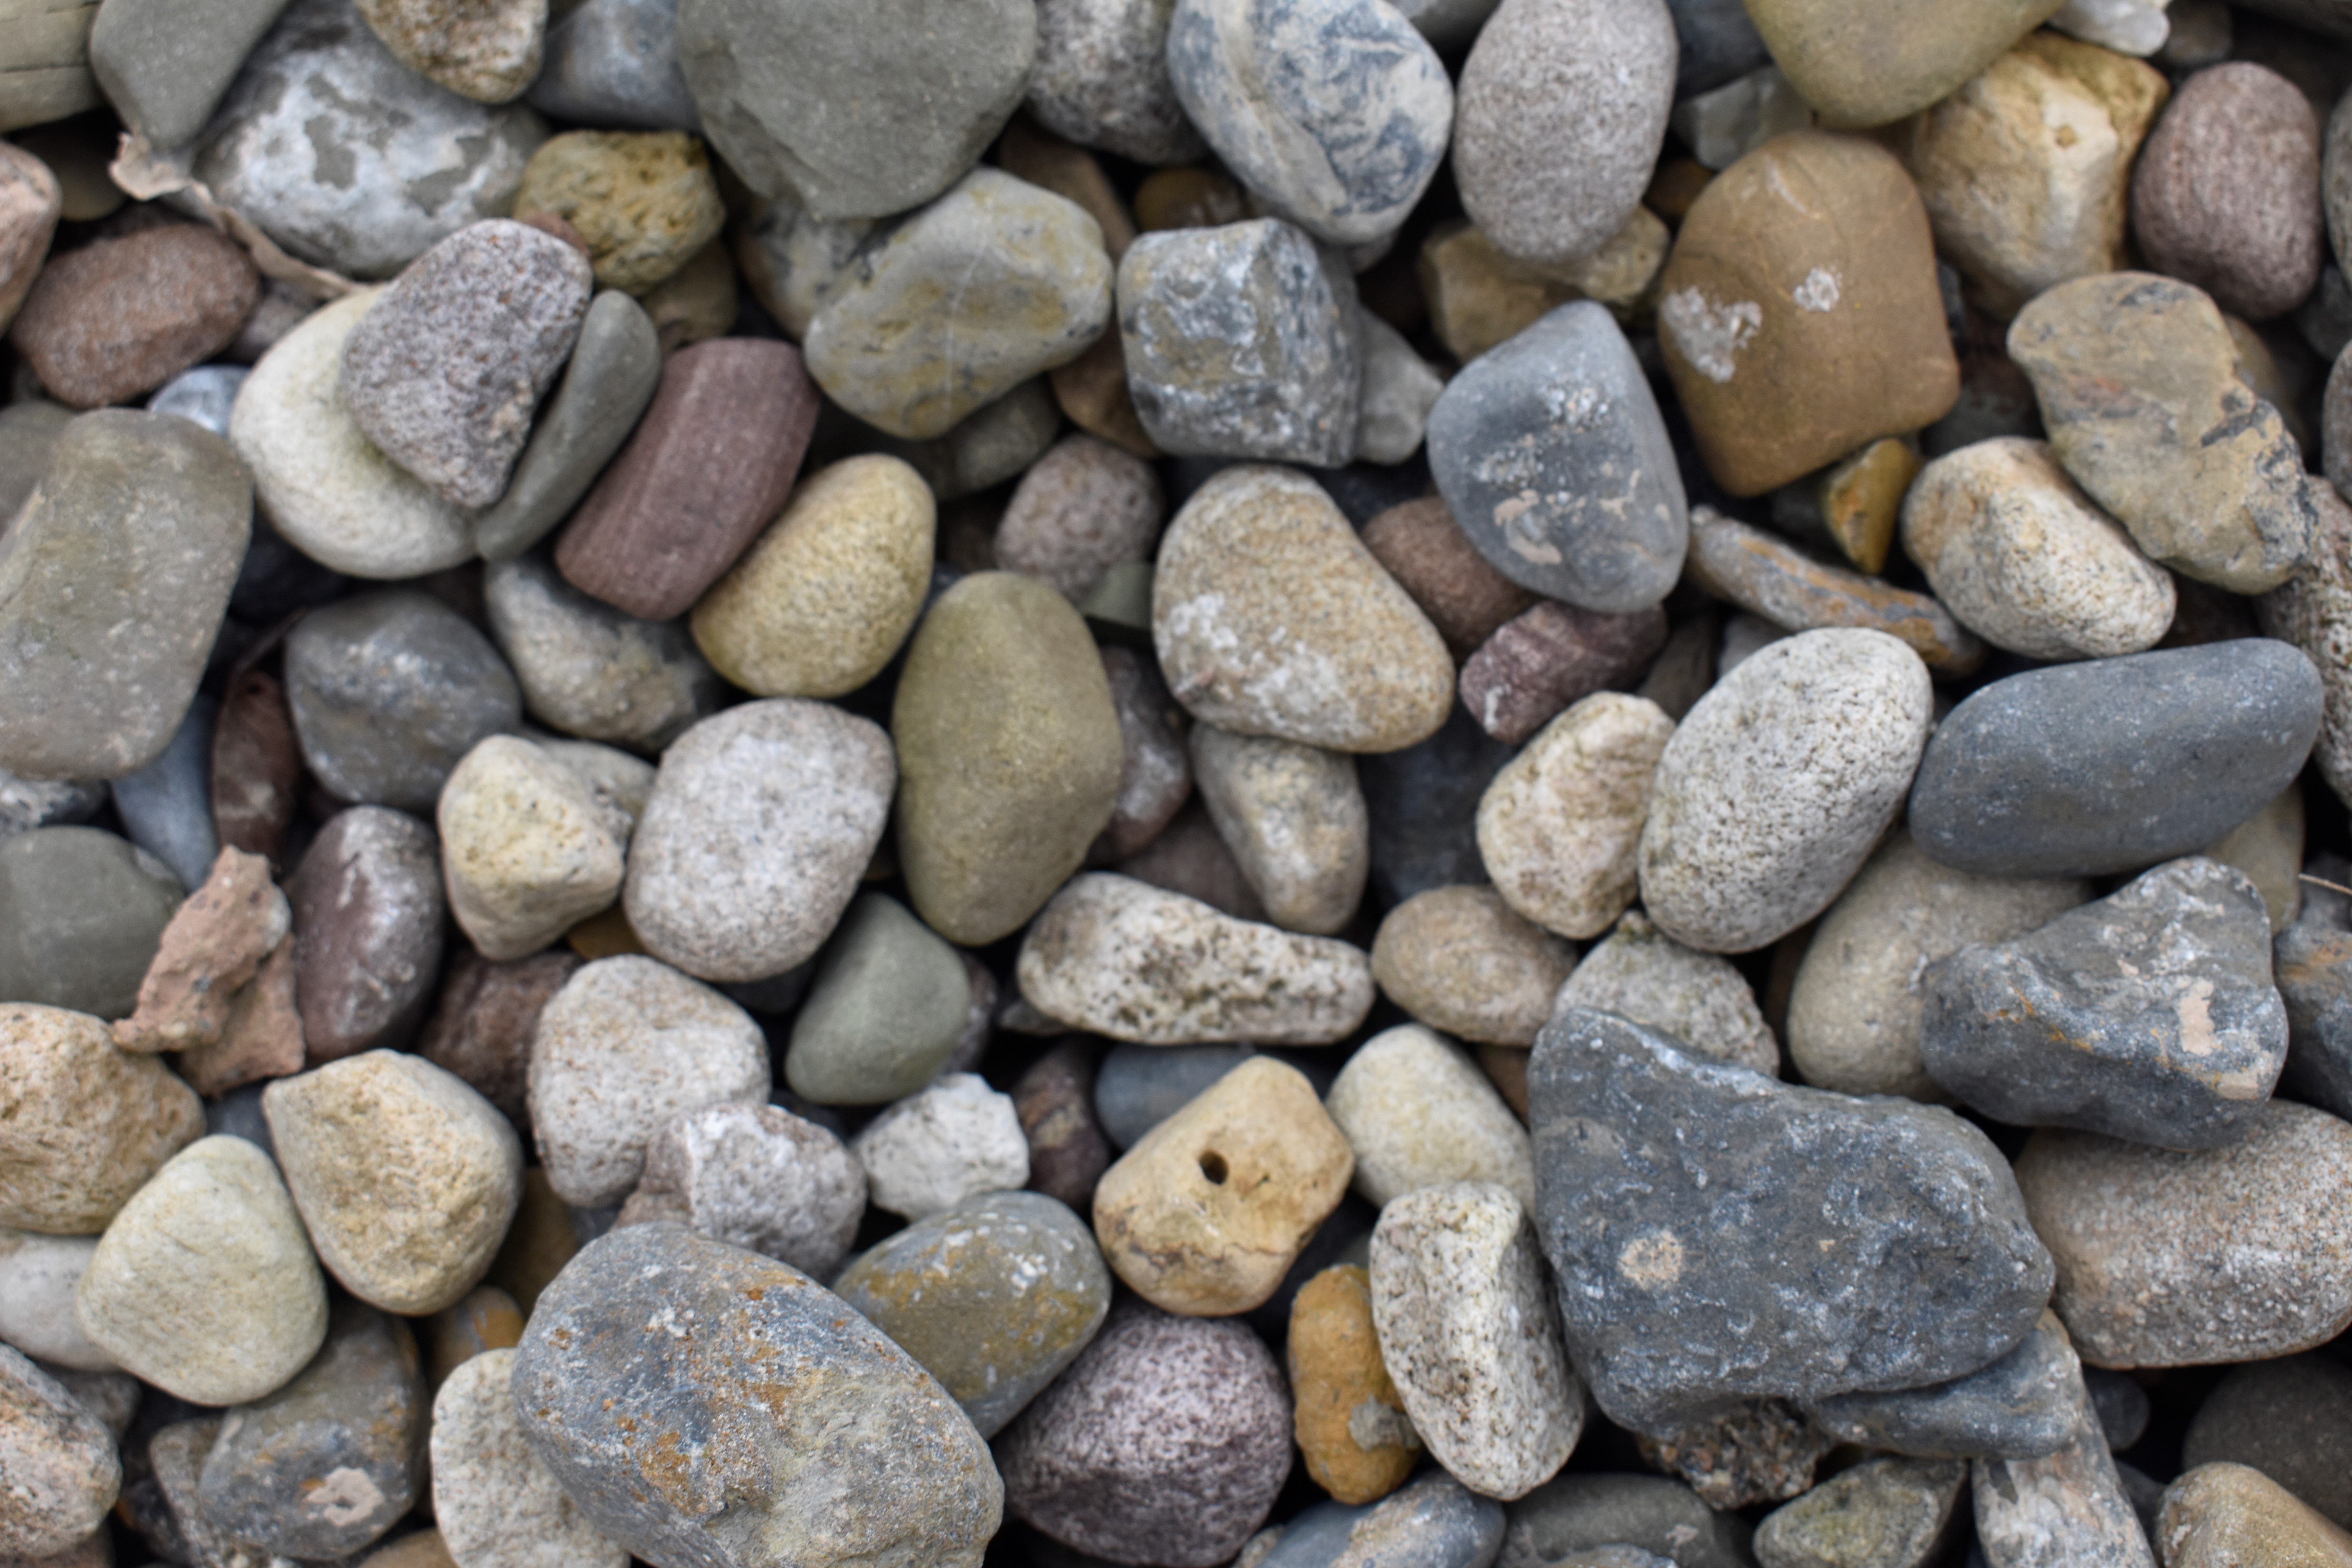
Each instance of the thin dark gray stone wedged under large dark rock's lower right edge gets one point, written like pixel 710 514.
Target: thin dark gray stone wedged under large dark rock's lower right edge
pixel 2019 1407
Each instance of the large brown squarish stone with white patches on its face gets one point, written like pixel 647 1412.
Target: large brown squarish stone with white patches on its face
pixel 1859 347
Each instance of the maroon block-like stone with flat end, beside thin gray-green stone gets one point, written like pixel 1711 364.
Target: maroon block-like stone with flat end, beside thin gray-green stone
pixel 707 469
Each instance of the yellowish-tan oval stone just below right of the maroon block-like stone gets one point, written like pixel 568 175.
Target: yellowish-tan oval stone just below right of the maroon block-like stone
pixel 831 589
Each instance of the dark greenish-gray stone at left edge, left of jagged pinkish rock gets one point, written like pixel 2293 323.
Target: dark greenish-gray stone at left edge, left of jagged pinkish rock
pixel 81 916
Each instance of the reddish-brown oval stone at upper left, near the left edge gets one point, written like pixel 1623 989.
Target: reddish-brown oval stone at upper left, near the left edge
pixel 123 316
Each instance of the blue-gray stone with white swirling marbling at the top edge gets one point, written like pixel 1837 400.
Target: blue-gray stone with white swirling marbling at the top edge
pixel 1332 112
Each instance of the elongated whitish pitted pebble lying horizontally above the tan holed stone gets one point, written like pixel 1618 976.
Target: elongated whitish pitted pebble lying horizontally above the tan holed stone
pixel 1121 958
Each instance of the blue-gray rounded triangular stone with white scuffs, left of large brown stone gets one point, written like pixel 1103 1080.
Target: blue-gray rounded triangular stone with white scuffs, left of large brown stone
pixel 1553 457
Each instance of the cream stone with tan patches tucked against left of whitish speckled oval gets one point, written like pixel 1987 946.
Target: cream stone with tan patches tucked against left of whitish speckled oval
pixel 1561 826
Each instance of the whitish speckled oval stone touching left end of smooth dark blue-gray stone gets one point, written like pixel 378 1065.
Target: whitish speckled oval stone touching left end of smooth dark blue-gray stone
pixel 1779 784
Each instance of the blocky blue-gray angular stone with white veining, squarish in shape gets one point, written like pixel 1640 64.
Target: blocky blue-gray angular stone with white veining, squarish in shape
pixel 1241 344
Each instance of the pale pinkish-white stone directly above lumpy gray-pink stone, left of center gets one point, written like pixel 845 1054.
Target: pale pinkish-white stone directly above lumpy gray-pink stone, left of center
pixel 624 1047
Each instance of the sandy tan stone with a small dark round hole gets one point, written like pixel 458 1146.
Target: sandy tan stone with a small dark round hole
pixel 1212 1207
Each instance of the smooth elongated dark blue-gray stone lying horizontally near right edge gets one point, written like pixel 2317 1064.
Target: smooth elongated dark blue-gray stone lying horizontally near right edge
pixel 2116 763
